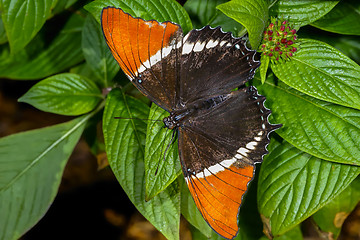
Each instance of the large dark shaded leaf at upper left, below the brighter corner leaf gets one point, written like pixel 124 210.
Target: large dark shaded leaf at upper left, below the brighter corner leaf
pixel 62 53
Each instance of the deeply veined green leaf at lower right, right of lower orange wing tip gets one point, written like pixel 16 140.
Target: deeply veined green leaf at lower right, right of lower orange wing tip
pixel 293 185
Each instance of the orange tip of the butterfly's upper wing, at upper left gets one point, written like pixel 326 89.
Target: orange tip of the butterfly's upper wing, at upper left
pixel 134 41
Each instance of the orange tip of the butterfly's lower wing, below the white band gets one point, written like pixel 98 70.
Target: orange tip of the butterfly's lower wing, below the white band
pixel 218 197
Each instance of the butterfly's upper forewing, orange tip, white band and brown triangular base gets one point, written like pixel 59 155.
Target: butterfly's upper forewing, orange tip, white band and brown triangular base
pixel 147 52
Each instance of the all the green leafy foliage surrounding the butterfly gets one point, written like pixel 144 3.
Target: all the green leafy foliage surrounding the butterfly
pixel 313 163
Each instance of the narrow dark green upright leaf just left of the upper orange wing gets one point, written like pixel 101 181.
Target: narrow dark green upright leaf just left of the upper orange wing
pixel 97 53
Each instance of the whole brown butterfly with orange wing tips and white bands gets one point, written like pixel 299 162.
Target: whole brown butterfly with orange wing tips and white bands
pixel 199 79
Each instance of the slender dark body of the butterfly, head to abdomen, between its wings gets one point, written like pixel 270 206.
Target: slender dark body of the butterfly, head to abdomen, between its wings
pixel 177 117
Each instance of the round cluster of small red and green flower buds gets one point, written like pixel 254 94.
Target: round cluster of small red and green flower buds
pixel 279 42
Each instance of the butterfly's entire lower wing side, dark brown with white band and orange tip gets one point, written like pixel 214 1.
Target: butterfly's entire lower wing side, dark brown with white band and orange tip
pixel 219 147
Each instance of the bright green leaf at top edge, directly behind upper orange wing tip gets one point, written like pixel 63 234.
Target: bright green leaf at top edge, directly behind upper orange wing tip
pixel 162 10
